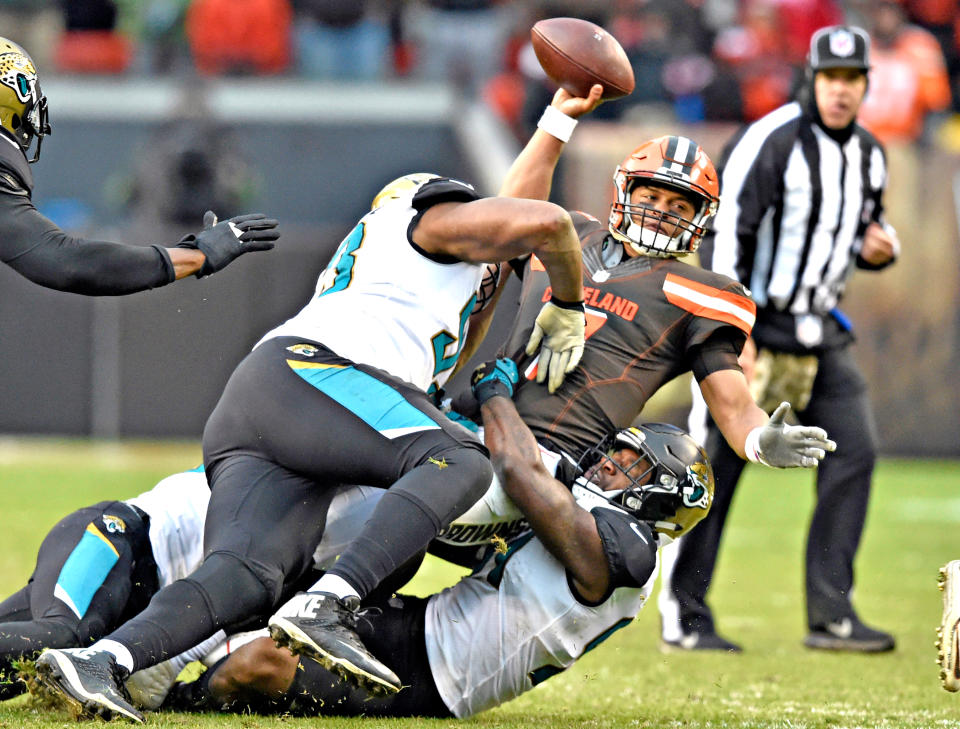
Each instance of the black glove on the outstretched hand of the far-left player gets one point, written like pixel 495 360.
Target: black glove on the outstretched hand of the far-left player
pixel 222 242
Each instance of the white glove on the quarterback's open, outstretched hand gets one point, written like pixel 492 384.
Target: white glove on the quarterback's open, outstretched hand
pixel 779 445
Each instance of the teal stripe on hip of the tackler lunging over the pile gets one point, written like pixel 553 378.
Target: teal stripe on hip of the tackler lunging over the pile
pixel 377 404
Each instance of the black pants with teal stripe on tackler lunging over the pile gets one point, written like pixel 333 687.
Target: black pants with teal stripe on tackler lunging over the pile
pixel 294 422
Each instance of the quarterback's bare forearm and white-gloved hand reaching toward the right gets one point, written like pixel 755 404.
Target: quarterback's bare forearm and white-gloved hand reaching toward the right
pixel 752 434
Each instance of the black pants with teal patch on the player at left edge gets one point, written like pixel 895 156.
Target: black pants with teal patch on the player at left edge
pixel 95 569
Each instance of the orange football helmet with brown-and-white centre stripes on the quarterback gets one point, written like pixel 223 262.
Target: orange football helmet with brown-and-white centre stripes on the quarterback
pixel 667 191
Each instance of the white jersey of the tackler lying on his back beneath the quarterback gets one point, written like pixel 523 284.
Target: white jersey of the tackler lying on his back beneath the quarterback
pixel 514 623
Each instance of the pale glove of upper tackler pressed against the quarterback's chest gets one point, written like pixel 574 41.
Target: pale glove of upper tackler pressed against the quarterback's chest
pixel 562 332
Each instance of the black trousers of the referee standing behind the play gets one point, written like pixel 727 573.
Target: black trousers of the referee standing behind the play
pixel 839 405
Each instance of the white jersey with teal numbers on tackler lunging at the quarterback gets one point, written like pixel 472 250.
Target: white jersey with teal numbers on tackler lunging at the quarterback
pixel 382 302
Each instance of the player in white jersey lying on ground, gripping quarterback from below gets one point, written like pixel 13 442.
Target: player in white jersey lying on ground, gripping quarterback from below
pixel 530 611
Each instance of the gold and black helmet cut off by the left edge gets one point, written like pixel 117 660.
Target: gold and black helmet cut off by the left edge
pixel 23 107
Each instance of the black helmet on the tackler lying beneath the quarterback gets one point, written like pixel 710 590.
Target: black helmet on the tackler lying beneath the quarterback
pixel 672 491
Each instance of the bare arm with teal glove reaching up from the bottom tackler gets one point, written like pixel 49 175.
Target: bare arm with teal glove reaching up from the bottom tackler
pixel 566 530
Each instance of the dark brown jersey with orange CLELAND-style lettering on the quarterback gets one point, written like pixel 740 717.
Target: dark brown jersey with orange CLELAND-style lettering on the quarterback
pixel 648 321
